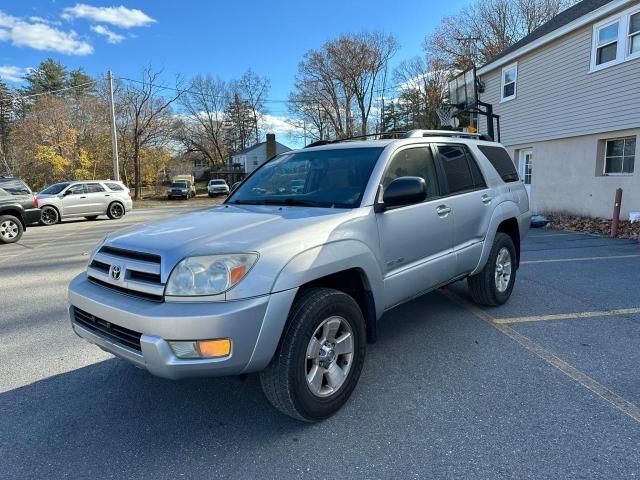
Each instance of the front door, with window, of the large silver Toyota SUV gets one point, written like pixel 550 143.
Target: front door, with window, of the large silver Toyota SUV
pixel 416 240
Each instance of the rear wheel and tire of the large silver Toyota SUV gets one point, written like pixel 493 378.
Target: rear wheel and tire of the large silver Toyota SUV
pixel 494 283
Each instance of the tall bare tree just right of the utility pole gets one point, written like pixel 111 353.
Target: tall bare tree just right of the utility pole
pixel 146 117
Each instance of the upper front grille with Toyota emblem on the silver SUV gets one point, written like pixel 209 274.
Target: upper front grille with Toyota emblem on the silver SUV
pixel 126 271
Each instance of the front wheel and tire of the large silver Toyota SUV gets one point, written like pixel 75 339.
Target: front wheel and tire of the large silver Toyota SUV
pixel 314 314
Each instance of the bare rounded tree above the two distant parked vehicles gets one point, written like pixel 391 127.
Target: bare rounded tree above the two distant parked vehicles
pixel 203 130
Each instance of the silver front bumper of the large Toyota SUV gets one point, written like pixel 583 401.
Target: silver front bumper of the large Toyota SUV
pixel 253 325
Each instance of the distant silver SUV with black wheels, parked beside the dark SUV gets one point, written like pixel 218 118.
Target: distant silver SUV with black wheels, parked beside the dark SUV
pixel 87 198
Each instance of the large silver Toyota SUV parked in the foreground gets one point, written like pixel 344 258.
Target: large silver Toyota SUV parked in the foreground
pixel 289 276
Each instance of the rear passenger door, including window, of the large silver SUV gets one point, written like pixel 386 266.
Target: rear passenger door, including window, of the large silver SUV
pixel 470 201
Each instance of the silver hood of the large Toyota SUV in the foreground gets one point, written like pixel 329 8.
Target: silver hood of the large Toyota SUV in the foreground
pixel 229 229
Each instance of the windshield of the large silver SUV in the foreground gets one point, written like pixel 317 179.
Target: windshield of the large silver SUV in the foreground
pixel 323 178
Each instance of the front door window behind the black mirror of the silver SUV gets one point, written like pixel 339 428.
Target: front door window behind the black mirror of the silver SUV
pixel 414 162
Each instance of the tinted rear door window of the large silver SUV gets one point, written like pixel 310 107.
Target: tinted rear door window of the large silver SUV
pixel 460 169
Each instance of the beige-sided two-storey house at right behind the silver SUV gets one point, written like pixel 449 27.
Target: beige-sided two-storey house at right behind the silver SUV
pixel 568 97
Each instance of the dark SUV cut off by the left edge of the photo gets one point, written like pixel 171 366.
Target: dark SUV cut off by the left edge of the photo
pixel 18 208
